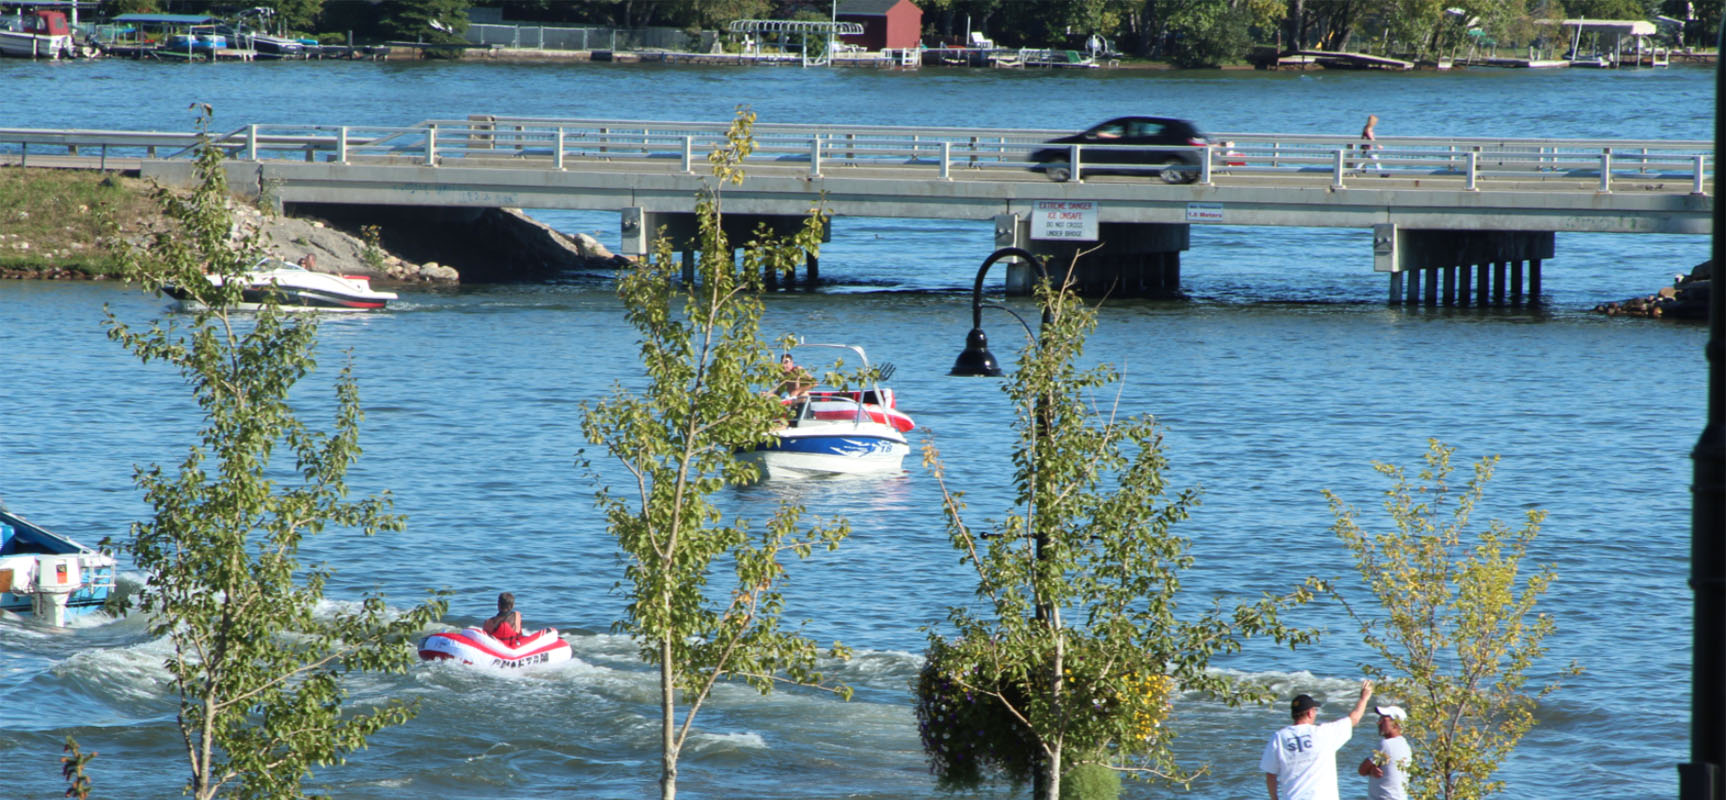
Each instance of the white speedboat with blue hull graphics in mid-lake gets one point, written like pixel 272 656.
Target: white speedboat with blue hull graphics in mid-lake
pixel 836 433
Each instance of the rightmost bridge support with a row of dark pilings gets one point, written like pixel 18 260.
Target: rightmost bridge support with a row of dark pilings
pixel 1404 251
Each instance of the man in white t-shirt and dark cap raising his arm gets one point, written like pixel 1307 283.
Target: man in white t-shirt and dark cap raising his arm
pixel 1301 759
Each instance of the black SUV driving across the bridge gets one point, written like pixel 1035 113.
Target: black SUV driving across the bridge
pixel 1180 167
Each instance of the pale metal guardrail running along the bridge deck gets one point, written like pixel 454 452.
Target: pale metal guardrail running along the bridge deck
pixel 943 153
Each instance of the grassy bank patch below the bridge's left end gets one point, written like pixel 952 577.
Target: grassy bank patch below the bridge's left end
pixel 68 220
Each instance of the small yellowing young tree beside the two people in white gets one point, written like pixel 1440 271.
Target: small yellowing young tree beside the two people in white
pixel 1459 632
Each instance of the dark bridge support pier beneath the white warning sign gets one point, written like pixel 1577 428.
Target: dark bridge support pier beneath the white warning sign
pixel 1128 260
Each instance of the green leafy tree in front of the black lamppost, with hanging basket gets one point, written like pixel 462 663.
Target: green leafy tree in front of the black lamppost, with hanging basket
pixel 1073 661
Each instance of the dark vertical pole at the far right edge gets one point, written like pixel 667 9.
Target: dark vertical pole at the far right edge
pixel 1701 780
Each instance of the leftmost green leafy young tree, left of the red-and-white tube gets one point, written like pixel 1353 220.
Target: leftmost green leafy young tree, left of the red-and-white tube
pixel 258 670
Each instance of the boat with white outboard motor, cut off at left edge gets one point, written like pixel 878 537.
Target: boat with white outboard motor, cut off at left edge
pixel 49 576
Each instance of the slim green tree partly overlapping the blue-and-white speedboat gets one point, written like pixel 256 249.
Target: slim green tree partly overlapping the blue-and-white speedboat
pixel 677 438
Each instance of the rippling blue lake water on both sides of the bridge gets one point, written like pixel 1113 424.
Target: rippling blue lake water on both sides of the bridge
pixel 1283 374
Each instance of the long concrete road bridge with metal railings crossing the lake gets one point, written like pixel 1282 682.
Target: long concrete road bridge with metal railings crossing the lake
pixel 1459 213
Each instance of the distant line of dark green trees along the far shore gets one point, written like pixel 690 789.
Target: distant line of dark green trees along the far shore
pixel 1183 32
